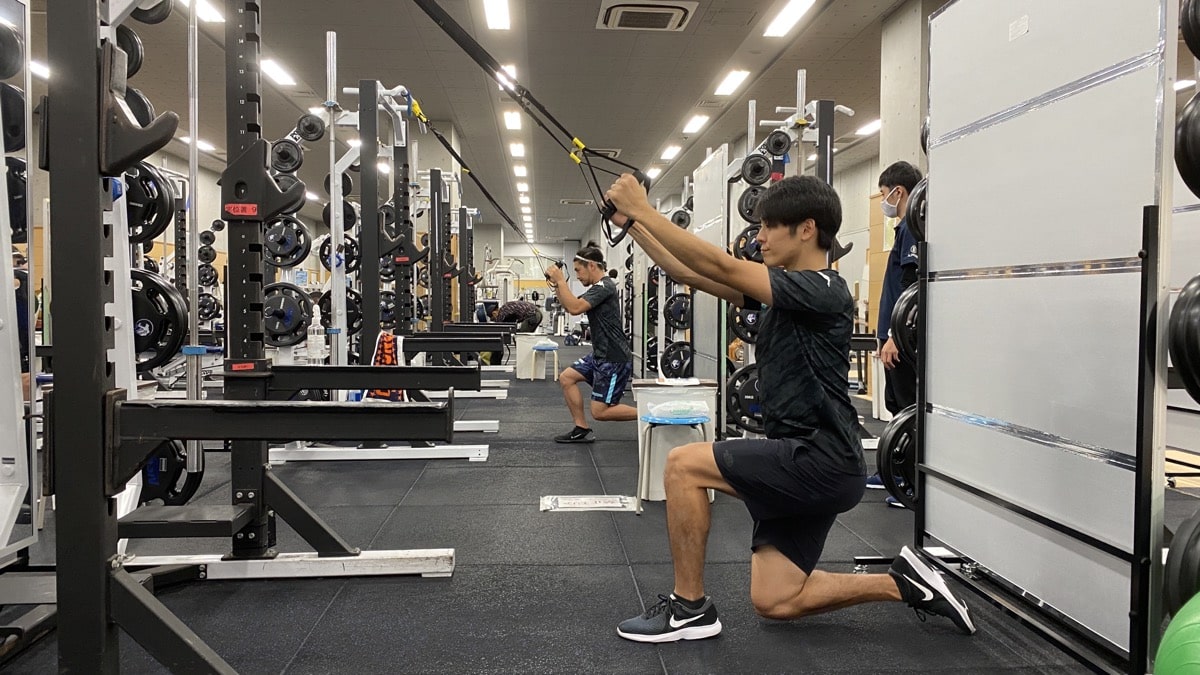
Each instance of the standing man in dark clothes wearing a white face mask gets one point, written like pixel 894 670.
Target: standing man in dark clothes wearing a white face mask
pixel 901 378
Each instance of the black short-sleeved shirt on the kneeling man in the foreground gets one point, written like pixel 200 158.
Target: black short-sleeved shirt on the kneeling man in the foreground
pixel 803 355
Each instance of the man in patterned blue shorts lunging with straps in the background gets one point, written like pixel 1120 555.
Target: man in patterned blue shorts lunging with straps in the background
pixel 610 366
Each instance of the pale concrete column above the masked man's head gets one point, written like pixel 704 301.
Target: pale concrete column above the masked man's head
pixel 904 81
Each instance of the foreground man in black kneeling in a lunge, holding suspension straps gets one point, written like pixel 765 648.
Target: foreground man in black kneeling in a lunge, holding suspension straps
pixel 809 469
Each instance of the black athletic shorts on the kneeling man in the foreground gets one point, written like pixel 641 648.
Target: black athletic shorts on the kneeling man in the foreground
pixel 790 492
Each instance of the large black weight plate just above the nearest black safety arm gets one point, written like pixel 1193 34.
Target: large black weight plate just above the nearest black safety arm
pixel 160 320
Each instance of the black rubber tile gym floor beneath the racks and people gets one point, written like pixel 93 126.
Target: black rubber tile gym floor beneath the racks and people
pixel 543 593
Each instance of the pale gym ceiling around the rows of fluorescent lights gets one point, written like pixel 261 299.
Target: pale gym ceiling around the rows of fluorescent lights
pixel 614 89
